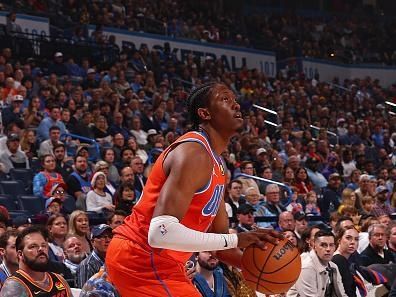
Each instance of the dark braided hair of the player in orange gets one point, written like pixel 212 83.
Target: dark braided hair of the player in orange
pixel 198 98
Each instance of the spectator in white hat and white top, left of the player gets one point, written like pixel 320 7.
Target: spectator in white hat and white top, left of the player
pixel 97 199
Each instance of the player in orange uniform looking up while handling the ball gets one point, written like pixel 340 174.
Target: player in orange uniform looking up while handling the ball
pixel 182 208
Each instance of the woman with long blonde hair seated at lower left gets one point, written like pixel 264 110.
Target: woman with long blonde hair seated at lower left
pixel 79 227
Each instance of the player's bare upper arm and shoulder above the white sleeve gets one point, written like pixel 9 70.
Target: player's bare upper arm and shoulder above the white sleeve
pixel 188 168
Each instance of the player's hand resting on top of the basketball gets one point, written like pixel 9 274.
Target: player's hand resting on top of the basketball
pixel 258 237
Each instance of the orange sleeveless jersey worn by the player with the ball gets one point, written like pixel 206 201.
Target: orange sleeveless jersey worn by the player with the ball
pixel 200 214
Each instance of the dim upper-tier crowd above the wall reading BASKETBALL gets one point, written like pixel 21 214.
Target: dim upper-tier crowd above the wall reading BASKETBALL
pixel 362 38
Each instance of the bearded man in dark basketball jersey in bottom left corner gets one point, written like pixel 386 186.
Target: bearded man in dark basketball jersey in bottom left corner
pixel 31 274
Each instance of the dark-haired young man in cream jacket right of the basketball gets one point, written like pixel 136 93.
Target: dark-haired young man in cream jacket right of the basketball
pixel 319 276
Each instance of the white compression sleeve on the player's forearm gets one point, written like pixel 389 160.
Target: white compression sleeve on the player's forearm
pixel 166 232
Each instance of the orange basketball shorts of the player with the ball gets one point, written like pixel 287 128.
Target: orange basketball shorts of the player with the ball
pixel 137 272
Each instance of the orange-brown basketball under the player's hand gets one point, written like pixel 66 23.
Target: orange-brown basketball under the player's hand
pixel 274 270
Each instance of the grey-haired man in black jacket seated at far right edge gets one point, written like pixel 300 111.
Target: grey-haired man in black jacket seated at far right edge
pixel 375 252
